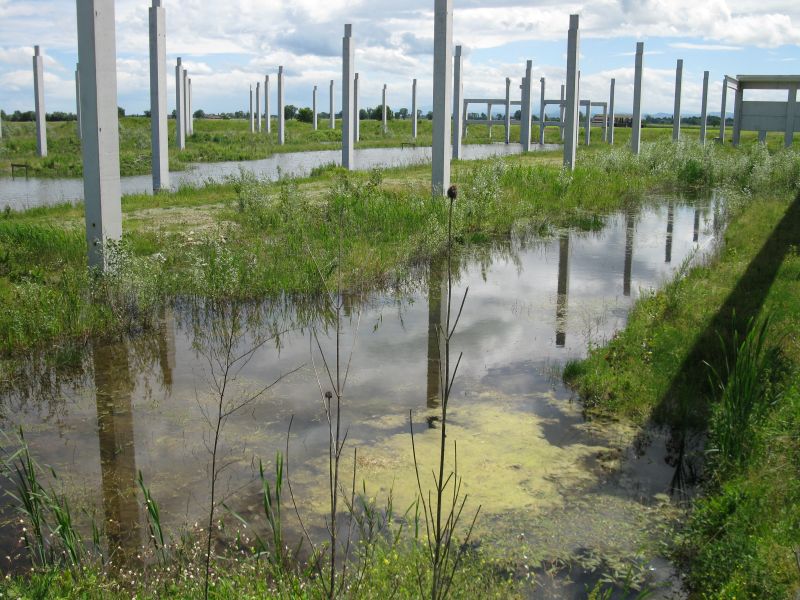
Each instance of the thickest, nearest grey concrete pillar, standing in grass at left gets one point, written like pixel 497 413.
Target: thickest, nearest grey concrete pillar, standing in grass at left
pixel 97 55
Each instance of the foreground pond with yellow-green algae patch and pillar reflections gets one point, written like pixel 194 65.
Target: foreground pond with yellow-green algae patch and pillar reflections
pixel 555 490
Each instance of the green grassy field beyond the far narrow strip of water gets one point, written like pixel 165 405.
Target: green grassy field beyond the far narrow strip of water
pixel 231 140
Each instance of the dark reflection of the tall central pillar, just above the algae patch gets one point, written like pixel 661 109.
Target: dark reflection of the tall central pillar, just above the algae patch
pixel 437 322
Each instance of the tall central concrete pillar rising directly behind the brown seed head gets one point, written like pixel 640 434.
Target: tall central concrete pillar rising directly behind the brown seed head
pixel 442 95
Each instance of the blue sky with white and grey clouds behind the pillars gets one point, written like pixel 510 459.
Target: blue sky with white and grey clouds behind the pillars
pixel 227 46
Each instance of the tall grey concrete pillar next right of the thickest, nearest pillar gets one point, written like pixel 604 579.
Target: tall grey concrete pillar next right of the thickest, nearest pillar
pixel 158 97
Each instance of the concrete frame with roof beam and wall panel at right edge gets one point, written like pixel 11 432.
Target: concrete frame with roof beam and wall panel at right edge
pixel 764 116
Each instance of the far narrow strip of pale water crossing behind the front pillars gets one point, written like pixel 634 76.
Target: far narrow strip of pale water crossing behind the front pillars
pixel 23 193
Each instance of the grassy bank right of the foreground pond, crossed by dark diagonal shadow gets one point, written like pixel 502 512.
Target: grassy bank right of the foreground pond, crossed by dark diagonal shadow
pixel 743 537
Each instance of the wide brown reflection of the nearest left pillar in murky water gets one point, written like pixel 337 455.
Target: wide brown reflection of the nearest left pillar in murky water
pixel 113 390
